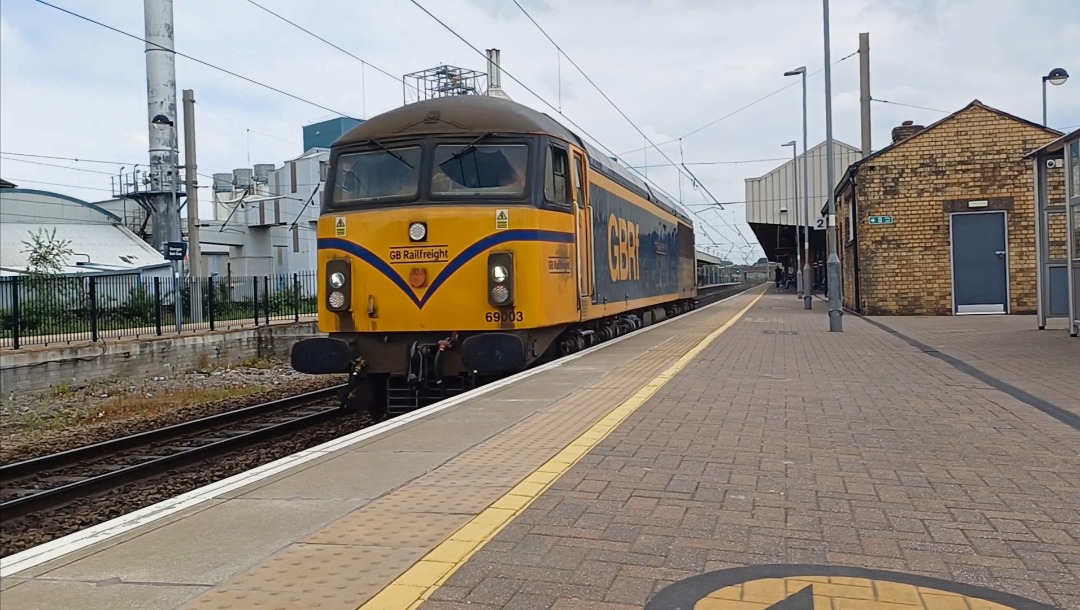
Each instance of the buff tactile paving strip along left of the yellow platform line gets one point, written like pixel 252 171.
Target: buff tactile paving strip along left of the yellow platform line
pixel 358 554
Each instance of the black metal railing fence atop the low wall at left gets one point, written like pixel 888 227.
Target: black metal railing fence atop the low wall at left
pixel 36 311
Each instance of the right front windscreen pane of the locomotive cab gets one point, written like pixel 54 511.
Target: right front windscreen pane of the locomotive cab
pixel 480 170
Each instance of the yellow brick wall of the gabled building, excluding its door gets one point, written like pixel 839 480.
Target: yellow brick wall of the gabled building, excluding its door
pixel 906 268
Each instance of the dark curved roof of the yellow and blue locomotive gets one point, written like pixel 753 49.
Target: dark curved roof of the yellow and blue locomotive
pixel 476 115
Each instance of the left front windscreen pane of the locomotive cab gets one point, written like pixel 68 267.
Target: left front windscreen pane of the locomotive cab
pixel 377 175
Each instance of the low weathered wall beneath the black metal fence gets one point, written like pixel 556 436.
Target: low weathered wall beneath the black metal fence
pixel 31 371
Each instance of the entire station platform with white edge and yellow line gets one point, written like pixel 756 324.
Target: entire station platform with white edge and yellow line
pixel 737 458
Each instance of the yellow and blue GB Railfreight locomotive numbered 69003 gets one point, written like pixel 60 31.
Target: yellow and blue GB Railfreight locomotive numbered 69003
pixel 466 238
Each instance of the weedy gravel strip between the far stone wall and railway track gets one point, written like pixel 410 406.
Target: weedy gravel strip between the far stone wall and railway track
pixel 36 425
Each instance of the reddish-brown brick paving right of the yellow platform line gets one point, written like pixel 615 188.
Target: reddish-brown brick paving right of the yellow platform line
pixel 786 444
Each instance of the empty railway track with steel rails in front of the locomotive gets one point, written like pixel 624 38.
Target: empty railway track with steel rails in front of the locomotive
pixel 52 481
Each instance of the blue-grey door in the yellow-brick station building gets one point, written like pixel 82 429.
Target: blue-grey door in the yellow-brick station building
pixel 980 263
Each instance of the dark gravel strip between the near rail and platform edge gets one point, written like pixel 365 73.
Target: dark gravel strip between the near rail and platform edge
pixel 25 533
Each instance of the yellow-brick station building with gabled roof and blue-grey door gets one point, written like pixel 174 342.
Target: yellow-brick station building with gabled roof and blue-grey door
pixel 942 222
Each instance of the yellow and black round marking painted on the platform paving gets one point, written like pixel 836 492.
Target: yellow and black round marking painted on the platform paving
pixel 809 588
